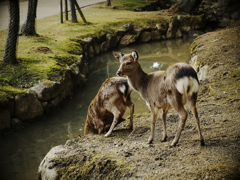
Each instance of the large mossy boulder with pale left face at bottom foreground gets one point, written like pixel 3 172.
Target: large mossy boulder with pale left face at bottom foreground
pixel 72 162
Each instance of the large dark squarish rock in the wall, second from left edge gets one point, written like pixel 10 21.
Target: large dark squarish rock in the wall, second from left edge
pixel 28 106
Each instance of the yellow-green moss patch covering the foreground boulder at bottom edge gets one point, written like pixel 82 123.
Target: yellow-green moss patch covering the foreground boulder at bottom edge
pixel 95 166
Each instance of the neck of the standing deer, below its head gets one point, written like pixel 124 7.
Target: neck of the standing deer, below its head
pixel 138 79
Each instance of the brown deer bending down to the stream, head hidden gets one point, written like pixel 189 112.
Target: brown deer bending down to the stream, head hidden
pixel 108 107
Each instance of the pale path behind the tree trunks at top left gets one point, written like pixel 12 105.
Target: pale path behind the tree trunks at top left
pixel 45 8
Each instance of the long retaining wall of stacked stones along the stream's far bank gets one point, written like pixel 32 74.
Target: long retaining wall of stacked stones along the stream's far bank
pixel 45 97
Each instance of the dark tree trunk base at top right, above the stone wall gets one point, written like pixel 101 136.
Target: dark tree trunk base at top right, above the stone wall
pixel 187 6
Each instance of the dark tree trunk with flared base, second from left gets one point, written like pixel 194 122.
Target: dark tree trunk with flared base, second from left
pixel 28 28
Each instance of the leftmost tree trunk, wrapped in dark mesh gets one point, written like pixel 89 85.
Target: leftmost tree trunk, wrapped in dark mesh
pixel 12 38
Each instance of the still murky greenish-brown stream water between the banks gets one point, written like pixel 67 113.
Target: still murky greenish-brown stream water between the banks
pixel 22 150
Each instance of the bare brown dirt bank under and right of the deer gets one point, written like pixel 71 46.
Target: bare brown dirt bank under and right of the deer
pixel 126 154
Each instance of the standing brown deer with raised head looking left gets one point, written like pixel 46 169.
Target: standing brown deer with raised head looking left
pixel 173 88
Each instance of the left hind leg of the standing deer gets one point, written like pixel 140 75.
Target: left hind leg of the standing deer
pixel 183 116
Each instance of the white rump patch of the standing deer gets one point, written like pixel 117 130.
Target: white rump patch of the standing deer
pixel 187 85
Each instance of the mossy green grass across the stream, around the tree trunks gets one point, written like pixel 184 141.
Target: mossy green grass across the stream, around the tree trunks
pixel 58 45
